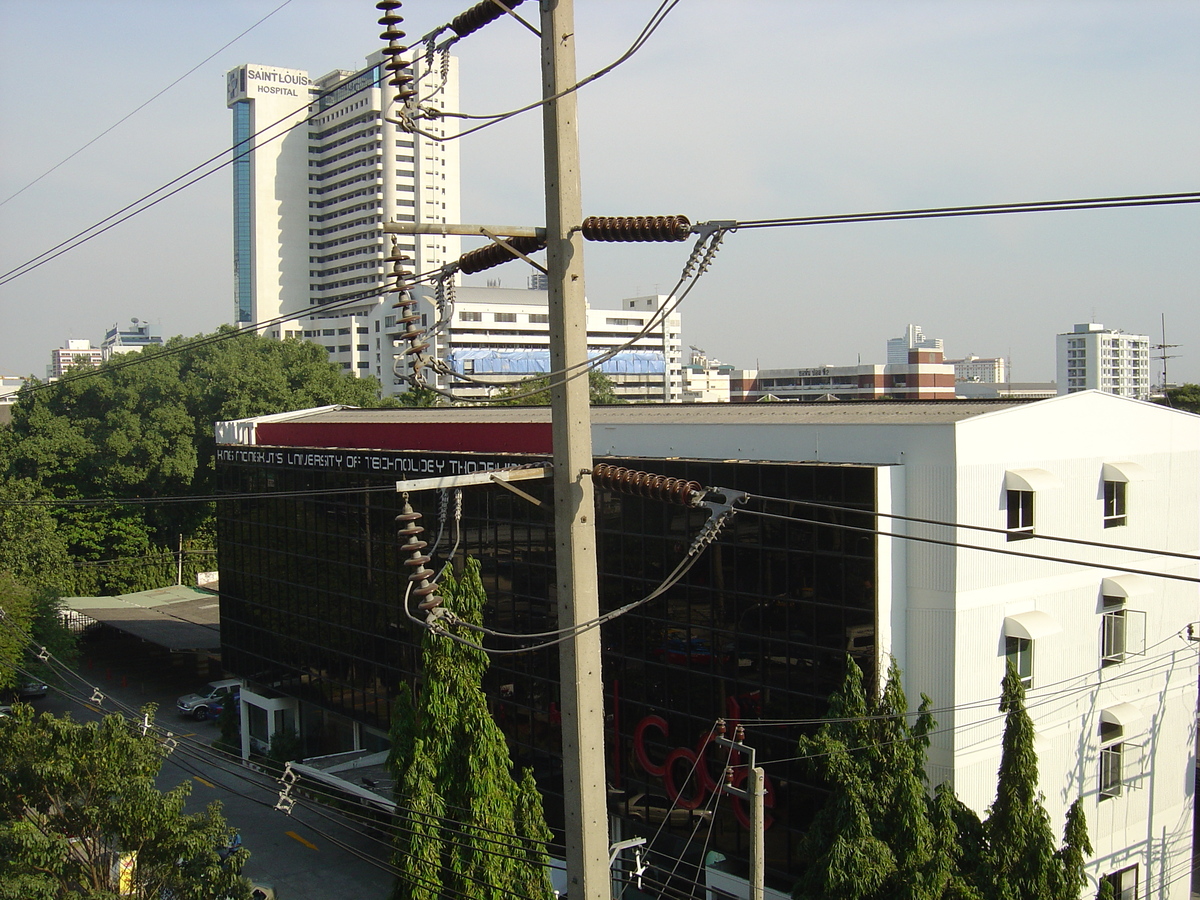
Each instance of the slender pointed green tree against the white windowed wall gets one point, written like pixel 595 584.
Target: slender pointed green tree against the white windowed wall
pixel 1021 860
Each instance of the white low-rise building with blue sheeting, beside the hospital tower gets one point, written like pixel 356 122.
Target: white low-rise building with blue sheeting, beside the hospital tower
pixel 502 335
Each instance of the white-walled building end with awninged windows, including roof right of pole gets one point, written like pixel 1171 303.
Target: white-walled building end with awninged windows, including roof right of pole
pixel 1112 675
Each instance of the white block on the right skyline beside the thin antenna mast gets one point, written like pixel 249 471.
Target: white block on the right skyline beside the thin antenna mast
pixel 1095 358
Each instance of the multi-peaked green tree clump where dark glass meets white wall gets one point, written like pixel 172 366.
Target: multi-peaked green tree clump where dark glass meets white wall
pixel 880 833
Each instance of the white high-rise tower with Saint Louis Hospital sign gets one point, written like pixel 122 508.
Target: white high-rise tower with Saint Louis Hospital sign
pixel 320 166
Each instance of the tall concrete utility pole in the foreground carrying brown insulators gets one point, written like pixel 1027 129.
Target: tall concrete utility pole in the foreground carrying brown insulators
pixel 584 785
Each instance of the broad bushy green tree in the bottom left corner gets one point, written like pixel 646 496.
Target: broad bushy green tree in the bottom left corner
pixel 76 799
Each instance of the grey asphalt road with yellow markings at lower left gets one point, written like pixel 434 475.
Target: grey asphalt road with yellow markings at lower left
pixel 314 854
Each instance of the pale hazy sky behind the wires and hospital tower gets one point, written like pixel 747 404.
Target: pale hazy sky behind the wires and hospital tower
pixel 735 110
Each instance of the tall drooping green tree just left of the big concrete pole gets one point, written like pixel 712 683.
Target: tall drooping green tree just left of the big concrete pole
pixel 475 832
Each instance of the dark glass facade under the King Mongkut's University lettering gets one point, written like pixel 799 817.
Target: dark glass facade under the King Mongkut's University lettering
pixel 757 632
